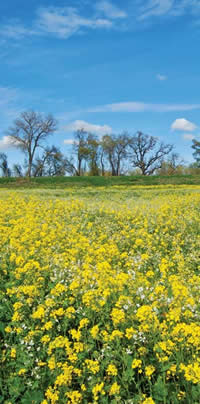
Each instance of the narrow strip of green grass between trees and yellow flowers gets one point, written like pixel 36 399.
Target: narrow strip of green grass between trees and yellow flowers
pixel 64 182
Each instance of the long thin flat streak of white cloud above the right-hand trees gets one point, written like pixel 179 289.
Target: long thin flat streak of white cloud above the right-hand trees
pixel 143 107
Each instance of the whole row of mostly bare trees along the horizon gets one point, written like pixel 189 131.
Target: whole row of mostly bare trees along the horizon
pixel 114 155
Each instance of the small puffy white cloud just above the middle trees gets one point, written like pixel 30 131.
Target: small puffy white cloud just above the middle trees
pixel 99 130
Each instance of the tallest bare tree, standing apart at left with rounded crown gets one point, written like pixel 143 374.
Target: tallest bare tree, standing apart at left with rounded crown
pixel 28 133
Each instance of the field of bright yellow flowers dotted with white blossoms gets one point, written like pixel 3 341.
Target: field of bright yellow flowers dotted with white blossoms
pixel 100 296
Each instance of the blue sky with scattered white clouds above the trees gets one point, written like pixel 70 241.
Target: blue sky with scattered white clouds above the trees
pixel 107 66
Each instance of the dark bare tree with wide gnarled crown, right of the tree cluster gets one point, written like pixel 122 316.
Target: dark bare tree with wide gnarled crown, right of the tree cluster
pixel 147 152
